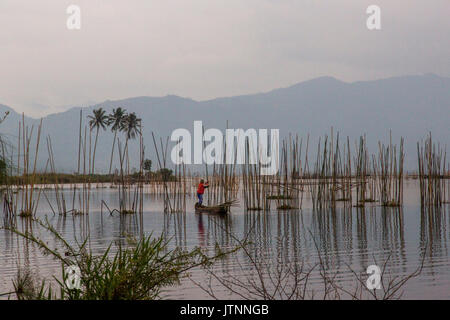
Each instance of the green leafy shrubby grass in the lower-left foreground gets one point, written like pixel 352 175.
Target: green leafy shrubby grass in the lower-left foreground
pixel 137 272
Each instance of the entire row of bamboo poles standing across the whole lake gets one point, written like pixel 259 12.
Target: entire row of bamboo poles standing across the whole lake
pixel 338 173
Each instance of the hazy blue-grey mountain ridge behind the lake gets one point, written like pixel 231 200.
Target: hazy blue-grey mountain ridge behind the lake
pixel 411 106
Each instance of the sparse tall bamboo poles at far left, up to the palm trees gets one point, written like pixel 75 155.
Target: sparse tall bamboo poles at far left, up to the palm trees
pixel 23 199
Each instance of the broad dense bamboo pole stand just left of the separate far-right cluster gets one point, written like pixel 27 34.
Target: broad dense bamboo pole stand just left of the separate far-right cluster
pixel 367 178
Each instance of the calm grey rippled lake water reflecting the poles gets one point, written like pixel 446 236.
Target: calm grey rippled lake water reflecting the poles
pixel 345 237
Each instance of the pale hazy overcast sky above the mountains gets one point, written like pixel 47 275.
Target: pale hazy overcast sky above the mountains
pixel 207 48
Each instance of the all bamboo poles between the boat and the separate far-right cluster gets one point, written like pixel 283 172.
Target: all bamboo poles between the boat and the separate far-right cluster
pixel 337 175
